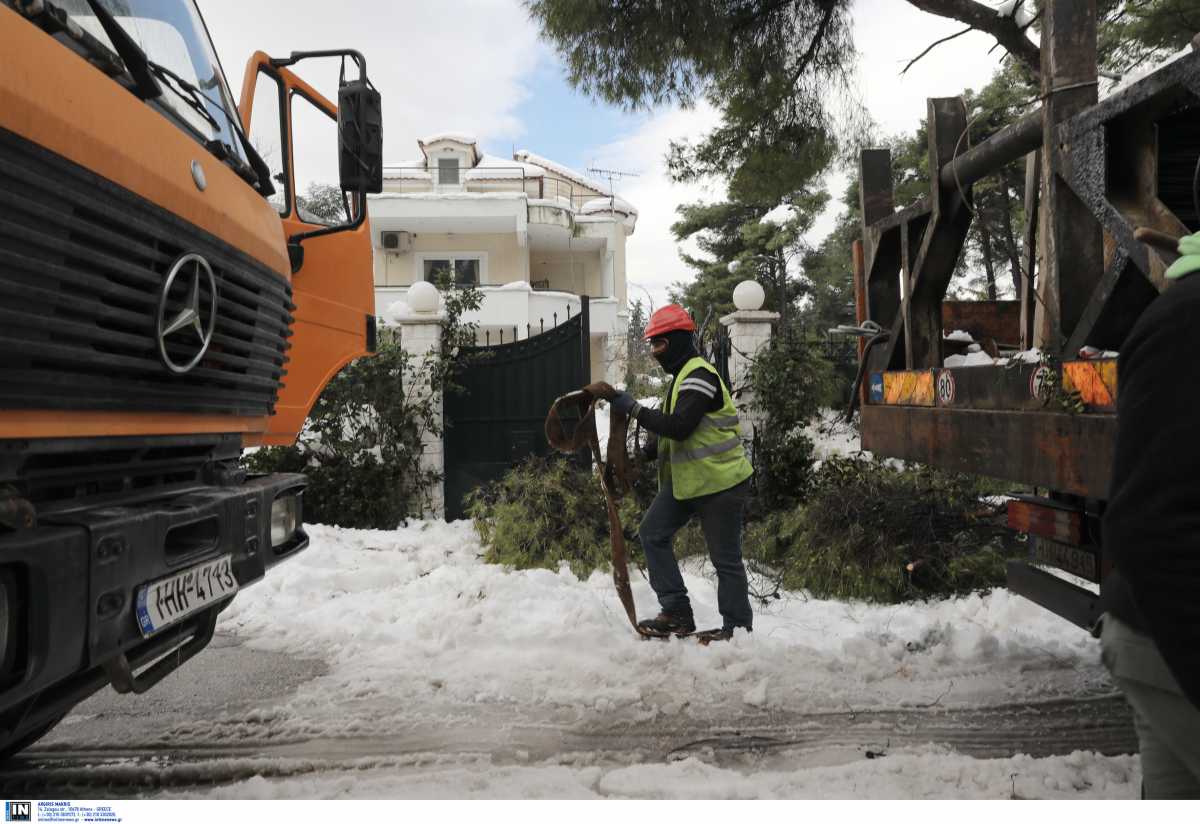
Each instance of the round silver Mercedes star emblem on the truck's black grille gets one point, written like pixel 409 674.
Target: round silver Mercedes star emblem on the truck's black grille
pixel 188 314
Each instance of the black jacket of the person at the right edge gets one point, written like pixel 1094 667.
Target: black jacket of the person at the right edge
pixel 1151 528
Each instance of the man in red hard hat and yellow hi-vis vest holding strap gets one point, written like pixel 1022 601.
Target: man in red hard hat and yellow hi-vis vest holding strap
pixel 704 473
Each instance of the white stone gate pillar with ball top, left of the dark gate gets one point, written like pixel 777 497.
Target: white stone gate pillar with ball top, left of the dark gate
pixel 421 322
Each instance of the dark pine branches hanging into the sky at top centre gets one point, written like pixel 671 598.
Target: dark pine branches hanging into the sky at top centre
pixel 771 68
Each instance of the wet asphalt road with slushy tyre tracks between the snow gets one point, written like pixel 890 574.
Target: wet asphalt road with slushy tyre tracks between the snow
pixel 181 737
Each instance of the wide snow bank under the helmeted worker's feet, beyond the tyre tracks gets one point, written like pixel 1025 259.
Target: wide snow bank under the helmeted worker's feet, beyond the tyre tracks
pixel 416 614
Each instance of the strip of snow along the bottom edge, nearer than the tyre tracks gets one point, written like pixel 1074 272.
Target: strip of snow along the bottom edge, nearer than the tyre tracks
pixel 915 773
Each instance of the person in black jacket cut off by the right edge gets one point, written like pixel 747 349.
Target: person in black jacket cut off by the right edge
pixel 1151 530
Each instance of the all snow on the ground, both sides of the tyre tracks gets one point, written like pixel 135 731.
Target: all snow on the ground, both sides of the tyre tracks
pixel 423 639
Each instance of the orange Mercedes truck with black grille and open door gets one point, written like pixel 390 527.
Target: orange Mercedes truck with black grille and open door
pixel 165 303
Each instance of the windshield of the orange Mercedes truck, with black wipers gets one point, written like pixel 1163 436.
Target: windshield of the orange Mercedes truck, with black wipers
pixel 182 58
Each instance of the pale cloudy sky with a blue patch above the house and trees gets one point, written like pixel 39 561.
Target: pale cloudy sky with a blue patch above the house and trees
pixel 478 67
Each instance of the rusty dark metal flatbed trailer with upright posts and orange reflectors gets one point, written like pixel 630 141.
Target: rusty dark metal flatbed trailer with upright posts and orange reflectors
pixel 1103 178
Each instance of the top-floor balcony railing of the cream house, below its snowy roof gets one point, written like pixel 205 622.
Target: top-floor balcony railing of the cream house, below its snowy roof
pixel 484 179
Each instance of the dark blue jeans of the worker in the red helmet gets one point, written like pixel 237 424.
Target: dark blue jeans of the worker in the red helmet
pixel 721 519
